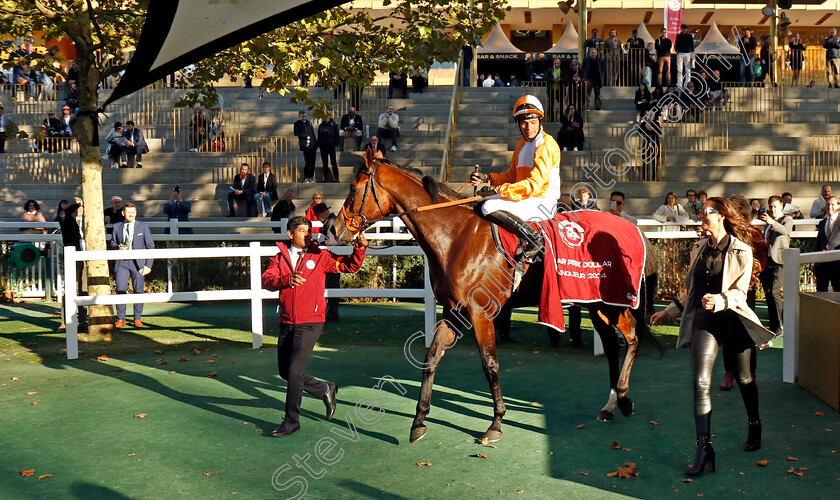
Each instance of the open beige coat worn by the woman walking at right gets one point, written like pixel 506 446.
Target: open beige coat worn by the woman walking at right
pixel 737 270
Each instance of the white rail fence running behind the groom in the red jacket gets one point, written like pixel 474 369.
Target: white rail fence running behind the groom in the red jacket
pixel 255 293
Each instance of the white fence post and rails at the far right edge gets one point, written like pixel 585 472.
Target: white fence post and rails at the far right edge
pixel 792 260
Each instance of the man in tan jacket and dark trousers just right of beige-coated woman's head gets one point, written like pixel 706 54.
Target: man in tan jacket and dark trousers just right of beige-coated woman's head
pixel 777 236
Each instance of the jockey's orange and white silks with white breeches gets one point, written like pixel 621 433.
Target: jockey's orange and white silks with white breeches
pixel 531 187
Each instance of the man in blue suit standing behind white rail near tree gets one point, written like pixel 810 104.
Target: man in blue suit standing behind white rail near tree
pixel 131 235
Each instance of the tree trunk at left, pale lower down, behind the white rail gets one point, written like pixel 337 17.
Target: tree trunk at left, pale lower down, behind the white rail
pixel 86 129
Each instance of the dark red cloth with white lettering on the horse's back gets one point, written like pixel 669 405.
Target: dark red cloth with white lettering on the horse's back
pixel 590 256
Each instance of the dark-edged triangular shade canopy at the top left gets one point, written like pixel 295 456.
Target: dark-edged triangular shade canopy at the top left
pixel 178 33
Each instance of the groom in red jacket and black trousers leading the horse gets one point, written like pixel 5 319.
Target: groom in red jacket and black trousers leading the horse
pixel 297 271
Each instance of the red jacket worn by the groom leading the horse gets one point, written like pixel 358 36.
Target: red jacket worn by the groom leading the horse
pixel 306 303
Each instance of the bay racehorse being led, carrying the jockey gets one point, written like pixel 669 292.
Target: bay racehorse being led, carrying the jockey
pixel 456 242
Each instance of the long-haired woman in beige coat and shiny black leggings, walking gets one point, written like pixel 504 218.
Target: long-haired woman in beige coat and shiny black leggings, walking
pixel 714 312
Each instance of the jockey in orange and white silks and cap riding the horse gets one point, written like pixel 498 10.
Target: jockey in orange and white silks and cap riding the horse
pixel 530 189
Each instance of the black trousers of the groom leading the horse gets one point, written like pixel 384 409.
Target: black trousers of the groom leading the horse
pixel 294 349
